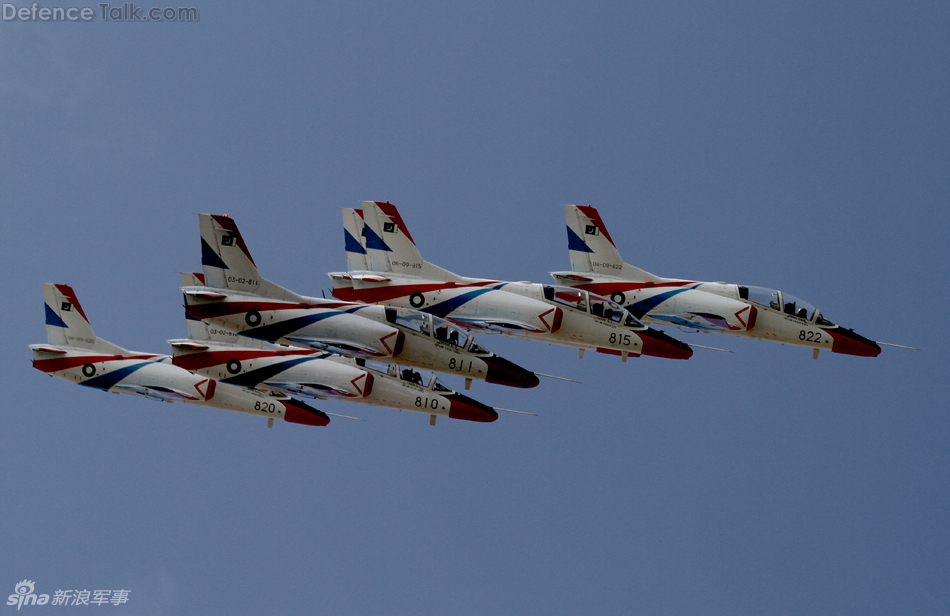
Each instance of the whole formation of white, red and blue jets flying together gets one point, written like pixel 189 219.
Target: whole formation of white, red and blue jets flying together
pixel 255 347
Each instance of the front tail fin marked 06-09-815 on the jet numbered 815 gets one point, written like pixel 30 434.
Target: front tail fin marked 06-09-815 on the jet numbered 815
pixel 389 246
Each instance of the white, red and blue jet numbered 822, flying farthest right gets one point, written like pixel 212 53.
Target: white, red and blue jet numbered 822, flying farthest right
pixel 739 310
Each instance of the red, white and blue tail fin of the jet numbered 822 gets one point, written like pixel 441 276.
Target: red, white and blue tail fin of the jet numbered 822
pixel 592 249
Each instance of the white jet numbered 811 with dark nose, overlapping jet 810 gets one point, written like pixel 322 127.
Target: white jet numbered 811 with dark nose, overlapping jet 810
pixel 232 294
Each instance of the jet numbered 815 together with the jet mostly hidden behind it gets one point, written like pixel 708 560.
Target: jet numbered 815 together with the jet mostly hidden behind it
pixel 385 267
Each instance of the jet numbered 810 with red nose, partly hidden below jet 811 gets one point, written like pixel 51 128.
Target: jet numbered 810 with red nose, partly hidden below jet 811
pixel 245 362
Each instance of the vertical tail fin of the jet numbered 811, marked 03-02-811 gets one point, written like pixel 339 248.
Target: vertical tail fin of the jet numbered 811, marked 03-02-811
pixel 227 263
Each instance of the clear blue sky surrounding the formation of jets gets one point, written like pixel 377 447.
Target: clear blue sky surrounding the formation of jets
pixel 801 146
